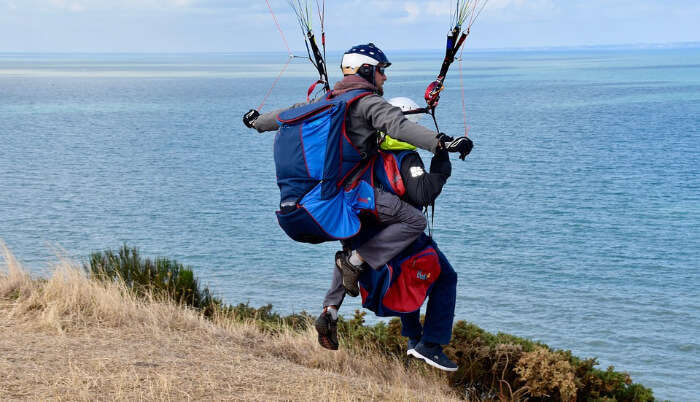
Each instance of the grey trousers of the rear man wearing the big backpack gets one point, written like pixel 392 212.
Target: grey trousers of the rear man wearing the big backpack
pixel 404 224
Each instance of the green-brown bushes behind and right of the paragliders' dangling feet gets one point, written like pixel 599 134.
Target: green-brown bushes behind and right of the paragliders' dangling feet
pixel 505 366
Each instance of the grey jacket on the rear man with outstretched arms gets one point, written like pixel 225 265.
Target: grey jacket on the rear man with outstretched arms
pixel 366 117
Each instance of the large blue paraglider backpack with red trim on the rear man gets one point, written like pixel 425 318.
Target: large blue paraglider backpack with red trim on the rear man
pixel 315 164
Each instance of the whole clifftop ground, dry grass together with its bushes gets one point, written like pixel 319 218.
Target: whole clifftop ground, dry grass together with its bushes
pixel 124 327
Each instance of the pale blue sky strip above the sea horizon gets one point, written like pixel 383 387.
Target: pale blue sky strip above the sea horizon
pixel 238 25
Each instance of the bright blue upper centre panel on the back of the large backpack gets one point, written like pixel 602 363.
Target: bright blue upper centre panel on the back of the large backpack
pixel 315 138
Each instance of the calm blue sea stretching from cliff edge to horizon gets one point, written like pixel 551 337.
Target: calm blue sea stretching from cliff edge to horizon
pixel 574 221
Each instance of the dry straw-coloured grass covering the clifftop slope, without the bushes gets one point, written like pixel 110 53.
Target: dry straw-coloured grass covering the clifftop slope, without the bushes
pixel 70 338
